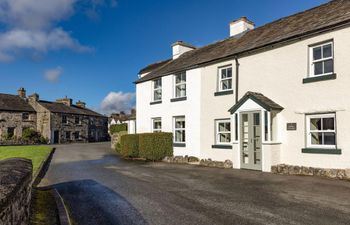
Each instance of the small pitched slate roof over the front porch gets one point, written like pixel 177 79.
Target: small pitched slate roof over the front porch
pixel 260 99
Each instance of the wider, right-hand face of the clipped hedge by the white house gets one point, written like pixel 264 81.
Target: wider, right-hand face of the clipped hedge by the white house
pixel 155 146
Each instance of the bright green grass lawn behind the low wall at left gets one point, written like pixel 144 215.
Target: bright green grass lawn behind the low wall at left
pixel 36 153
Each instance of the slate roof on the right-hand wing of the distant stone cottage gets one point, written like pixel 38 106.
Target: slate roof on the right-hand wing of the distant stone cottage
pixel 56 107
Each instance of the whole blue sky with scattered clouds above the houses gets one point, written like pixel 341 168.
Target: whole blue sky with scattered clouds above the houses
pixel 91 50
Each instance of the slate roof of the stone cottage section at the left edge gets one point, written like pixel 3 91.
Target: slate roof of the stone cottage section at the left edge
pixel 14 103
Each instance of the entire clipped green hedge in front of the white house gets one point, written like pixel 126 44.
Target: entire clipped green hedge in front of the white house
pixel 150 146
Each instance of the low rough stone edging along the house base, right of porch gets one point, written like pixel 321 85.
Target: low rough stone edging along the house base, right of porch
pixel 311 171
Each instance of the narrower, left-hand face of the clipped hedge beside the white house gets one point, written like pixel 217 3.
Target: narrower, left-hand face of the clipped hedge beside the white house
pixel 130 145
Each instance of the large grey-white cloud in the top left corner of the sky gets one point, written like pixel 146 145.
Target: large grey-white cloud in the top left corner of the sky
pixel 31 25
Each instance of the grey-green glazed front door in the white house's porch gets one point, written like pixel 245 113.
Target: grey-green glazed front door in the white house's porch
pixel 250 123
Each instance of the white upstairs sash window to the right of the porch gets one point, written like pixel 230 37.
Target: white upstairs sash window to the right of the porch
pixel 321 58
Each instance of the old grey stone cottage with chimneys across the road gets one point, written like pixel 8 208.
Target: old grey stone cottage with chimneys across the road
pixel 60 121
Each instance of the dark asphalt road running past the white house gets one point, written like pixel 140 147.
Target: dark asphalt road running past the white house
pixel 100 188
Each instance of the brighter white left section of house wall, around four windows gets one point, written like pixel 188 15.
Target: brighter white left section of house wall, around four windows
pixel 189 108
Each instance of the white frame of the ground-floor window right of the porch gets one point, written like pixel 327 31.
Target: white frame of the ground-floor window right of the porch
pixel 309 131
